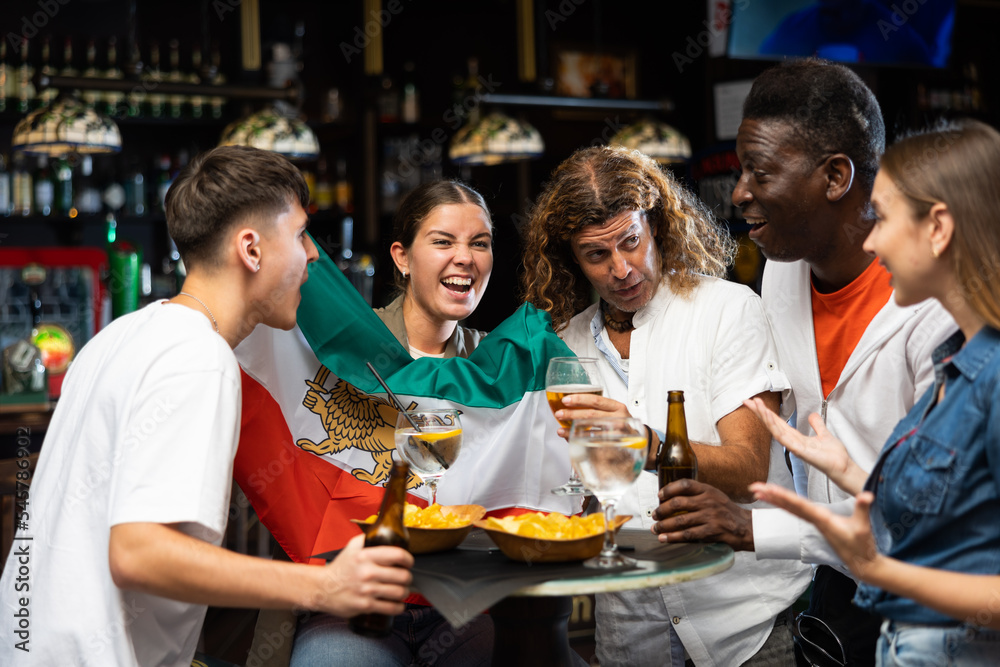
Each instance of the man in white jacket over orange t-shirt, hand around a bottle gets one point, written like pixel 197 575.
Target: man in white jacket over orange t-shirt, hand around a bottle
pixel 809 144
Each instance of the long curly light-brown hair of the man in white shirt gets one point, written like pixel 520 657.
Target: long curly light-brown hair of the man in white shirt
pixel 589 188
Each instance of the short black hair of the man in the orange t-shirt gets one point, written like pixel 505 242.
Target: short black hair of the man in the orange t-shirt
pixel 830 108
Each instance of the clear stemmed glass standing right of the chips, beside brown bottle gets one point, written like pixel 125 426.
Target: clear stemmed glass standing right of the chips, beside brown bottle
pixel 609 452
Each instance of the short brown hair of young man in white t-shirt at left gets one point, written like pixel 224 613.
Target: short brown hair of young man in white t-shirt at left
pixel 223 187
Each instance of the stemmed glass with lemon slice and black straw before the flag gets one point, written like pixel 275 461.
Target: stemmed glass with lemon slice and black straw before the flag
pixel 430 441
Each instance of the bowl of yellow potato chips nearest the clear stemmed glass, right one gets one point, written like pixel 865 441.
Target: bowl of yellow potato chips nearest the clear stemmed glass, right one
pixel 536 537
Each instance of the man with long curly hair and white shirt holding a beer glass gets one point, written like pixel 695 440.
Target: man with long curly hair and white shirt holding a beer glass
pixel 611 221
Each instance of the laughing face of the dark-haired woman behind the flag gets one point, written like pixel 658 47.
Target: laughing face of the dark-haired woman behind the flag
pixel 449 262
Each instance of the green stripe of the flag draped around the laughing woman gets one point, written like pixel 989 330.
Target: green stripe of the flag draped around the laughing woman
pixel 344 333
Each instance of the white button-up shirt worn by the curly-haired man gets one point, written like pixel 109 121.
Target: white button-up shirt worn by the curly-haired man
pixel 715 345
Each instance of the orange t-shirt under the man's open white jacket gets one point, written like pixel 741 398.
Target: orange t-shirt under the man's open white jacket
pixel 840 319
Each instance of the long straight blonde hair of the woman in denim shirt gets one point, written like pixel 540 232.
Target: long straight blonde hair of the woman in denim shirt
pixel 958 164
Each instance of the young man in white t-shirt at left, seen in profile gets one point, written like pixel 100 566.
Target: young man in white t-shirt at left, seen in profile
pixel 130 498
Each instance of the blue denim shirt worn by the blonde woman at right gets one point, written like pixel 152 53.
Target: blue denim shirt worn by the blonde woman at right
pixel 937 501
